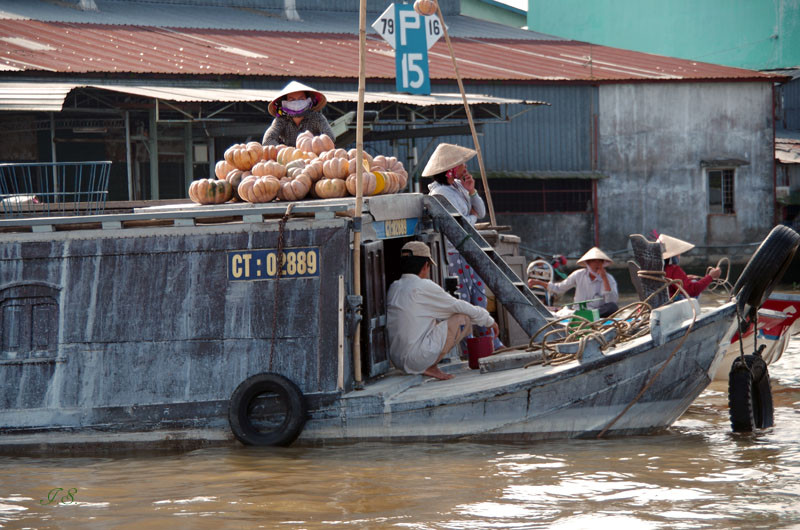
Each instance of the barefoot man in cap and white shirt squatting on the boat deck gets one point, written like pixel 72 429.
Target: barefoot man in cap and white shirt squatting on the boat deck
pixel 423 321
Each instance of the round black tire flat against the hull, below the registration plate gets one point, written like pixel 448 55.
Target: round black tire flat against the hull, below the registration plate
pixel 267 409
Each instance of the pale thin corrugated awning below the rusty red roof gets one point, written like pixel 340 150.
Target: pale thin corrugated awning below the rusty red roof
pixel 41 96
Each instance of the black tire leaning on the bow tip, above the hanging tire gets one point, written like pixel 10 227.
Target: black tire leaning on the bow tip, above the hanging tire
pixel 765 268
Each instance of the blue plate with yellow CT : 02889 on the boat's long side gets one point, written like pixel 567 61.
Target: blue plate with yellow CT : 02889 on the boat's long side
pixel 262 264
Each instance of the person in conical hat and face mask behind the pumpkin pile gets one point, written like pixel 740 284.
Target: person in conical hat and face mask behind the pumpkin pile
pixel 296 109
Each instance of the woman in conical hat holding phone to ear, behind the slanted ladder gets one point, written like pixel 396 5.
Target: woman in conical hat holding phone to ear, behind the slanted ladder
pixel 451 179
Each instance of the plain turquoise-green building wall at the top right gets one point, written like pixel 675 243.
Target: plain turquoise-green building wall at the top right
pixel 755 34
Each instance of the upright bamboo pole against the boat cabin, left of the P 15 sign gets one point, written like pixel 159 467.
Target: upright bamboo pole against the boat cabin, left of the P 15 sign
pixel 362 46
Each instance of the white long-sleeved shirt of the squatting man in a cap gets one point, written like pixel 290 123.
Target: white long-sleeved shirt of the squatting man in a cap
pixel 417 309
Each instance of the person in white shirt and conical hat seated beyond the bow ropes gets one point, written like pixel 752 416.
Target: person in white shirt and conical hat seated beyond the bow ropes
pixel 591 283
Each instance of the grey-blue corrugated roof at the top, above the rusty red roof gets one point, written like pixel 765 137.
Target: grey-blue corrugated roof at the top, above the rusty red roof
pixel 239 19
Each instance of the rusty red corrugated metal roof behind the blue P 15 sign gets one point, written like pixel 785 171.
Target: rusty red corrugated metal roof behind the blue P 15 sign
pixel 33 46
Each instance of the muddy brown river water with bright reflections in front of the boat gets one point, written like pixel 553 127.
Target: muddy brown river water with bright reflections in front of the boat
pixel 698 475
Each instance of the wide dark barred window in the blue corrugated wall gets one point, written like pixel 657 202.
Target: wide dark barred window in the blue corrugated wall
pixel 558 195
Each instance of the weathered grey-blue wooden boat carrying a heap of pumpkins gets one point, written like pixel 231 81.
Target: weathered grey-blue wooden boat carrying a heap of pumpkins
pixel 172 327
